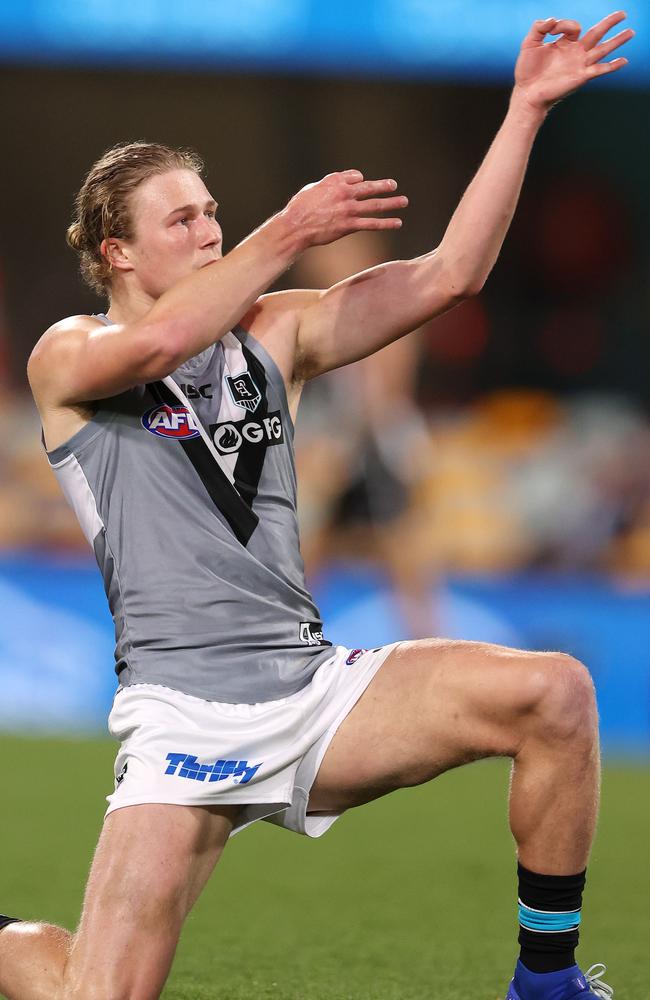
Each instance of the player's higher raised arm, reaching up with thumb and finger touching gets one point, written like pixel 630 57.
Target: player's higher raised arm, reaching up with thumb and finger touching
pixel 360 315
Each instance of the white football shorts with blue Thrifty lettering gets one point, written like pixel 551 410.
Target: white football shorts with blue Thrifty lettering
pixel 182 750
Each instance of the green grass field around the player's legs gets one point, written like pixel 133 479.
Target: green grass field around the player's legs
pixel 410 897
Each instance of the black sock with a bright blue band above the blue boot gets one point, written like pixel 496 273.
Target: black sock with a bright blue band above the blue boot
pixel 549 919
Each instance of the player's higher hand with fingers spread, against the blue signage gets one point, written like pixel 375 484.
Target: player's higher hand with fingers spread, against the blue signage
pixel 547 72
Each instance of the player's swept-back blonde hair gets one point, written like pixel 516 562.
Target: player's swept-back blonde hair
pixel 102 205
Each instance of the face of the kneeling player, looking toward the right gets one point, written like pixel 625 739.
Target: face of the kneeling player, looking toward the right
pixel 175 230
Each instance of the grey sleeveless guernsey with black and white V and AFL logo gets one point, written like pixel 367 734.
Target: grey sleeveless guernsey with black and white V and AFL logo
pixel 186 490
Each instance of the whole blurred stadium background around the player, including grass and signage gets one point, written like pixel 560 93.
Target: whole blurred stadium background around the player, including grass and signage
pixel 487 478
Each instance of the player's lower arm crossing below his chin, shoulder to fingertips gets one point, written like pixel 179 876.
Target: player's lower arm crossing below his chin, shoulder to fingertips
pixel 80 359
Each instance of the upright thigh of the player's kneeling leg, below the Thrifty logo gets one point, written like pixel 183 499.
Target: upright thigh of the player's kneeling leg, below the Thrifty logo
pixel 150 866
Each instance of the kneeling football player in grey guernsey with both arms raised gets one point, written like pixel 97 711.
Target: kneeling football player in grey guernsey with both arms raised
pixel 169 423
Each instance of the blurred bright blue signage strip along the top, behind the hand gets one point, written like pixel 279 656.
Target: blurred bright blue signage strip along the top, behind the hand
pixel 452 39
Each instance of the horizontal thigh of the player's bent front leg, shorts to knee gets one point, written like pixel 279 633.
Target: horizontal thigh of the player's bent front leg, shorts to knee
pixel 433 705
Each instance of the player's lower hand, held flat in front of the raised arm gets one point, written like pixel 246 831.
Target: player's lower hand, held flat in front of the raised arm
pixel 340 204
